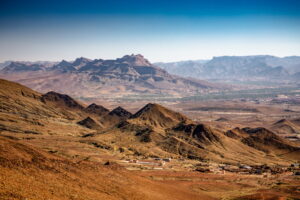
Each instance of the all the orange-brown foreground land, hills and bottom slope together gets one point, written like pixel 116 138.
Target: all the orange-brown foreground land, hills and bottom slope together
pixel 54 147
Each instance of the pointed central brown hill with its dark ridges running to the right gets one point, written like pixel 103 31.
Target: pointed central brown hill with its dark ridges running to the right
pixel 155 131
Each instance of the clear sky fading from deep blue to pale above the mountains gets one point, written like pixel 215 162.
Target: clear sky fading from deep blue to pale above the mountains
pixel 160 30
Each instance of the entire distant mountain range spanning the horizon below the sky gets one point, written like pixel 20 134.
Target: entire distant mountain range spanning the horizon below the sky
pixel 135 75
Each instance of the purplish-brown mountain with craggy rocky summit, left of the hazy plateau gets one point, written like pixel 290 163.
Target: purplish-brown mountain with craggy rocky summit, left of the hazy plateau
pixel 131 74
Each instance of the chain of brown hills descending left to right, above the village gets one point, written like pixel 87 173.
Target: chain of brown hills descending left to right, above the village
pixel 153 131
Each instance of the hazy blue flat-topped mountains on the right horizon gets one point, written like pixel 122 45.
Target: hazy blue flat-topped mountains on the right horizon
pixel 253 68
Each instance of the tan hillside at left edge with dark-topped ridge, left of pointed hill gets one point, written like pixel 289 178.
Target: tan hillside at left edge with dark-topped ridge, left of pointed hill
pixel 26 111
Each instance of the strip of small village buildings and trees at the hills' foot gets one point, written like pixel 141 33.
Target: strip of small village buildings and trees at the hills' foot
pixel 203 167
